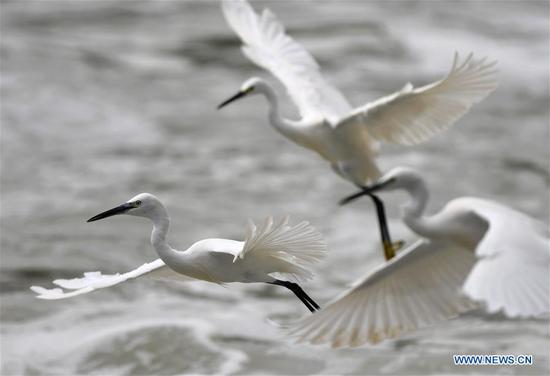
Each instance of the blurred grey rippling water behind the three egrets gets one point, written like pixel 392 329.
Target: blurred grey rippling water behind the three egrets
pixel 102 100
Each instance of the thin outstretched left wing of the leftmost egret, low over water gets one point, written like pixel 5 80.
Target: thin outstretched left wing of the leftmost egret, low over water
pixel 96 280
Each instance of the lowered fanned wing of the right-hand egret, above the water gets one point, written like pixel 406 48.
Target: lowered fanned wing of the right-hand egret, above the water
pixel 418 287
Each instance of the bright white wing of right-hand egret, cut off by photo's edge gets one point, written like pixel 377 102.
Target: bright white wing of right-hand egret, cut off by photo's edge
pixel 513 271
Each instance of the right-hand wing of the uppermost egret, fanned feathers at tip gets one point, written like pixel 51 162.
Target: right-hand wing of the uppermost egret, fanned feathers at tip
pixel 411 116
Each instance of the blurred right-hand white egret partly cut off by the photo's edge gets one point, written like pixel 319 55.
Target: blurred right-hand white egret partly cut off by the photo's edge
pixel 474 251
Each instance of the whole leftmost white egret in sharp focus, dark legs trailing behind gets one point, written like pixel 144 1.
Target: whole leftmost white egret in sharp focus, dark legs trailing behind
pixel 274 248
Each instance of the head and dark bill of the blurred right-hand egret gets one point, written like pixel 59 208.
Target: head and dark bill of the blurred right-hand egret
pixel 395 179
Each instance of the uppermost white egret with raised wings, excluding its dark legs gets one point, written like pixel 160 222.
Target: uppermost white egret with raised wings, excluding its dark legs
pixel 349 138
